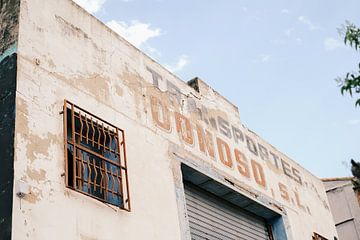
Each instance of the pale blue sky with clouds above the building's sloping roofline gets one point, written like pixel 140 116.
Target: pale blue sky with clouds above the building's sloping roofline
pixel 276 60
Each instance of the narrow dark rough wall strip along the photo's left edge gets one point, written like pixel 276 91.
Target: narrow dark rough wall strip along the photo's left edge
pixel 9 15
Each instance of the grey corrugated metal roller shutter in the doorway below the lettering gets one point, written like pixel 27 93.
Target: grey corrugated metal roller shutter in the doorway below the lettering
pixel 212 218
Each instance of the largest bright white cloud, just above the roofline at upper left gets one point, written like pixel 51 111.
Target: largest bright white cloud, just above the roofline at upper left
pixel 137 33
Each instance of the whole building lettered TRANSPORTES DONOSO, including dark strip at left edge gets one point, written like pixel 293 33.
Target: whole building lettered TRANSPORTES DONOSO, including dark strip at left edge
pixel 98 141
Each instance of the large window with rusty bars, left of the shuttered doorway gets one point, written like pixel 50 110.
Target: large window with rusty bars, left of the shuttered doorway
pixel 95 157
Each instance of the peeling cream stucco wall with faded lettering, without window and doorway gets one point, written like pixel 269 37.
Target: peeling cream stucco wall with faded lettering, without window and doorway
pixel 64 53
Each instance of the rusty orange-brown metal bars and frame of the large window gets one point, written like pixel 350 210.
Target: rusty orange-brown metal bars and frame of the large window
pixel 102 126
